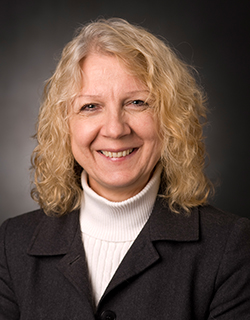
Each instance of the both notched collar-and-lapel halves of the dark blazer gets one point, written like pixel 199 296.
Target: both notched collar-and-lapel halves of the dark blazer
pixel 62 236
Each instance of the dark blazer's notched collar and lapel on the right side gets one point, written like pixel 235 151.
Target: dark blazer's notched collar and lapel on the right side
pixel 163 224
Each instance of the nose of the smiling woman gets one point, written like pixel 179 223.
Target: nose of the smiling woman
pixel 115 125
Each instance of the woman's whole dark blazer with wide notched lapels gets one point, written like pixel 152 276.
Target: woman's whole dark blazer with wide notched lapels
pixel 179 268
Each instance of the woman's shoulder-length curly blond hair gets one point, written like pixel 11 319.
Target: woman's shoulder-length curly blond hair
pixel 179 106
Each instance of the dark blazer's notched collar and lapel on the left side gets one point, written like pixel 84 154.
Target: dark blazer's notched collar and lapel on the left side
pixel 62 236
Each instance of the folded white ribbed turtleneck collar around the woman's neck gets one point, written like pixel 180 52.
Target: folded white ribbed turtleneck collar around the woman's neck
pixel 117 221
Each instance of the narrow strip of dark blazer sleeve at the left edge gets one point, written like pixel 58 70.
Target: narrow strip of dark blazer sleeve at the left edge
pixel 8 305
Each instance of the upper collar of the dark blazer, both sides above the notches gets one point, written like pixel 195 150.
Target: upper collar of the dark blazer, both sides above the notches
pixel 54 236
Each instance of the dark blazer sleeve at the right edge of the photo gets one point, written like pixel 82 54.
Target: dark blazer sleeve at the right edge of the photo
pixel 232 286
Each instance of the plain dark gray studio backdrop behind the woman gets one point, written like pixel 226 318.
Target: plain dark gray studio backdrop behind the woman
pixel 212 35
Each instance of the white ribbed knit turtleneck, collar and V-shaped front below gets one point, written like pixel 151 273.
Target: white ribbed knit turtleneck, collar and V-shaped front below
pixel 109 229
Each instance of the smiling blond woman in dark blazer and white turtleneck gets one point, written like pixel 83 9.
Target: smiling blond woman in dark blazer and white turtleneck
pixel 124 230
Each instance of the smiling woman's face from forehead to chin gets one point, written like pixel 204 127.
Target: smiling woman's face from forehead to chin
pixel 114 135
